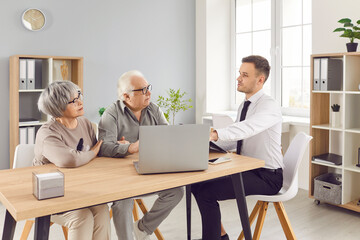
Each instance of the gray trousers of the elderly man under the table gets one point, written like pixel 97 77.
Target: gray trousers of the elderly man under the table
pixel 164 204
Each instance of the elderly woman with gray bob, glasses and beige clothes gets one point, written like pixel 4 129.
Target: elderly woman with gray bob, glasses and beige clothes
pixel 68 140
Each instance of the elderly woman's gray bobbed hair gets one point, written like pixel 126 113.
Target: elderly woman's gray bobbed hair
pixel 54 99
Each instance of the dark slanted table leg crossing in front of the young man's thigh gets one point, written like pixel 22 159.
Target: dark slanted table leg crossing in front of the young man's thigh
pixel 241 202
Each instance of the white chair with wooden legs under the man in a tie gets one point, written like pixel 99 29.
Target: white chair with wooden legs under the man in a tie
pixel 292 159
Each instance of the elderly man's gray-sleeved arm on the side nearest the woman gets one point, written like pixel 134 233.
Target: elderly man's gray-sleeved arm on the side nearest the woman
pixel 108 133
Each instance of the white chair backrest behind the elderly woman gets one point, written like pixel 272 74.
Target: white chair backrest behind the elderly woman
pixel 24 155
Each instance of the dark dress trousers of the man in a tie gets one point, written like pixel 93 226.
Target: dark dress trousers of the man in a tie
pixel 207 195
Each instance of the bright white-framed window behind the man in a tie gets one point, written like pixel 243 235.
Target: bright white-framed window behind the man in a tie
pixel 285 40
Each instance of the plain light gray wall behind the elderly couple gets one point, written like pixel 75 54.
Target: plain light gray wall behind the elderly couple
pixel 156 37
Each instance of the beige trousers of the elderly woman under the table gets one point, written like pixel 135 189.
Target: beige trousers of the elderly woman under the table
pixel 87 223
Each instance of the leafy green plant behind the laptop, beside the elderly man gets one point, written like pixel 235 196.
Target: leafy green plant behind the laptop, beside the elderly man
pixel 174 103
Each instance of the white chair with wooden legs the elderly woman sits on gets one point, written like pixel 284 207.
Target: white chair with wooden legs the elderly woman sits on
pixel 23 157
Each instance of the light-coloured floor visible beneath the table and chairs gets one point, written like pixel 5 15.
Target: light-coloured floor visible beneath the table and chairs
pixel 309 221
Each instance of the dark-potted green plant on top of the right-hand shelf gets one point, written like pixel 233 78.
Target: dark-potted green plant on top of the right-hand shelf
pixel 351 31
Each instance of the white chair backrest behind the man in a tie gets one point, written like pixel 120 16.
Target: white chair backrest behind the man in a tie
pixel 292 160
